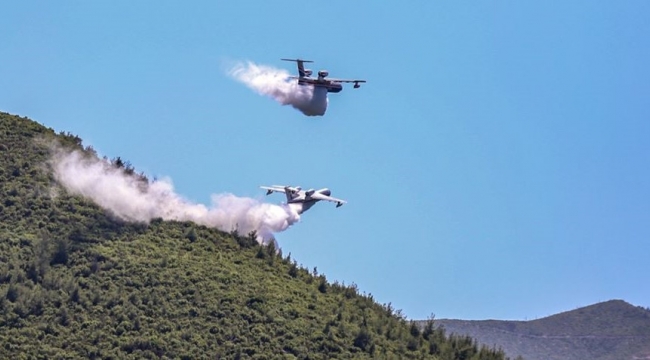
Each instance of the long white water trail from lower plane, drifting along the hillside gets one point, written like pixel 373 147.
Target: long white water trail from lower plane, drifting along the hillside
pixel 130 198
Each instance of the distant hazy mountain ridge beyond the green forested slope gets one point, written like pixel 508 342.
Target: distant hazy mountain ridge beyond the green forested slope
pixel 611 330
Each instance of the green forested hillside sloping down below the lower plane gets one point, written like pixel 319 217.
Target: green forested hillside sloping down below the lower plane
pixel 76 283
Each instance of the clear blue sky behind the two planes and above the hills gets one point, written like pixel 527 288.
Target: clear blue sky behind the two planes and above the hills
pixel 496 164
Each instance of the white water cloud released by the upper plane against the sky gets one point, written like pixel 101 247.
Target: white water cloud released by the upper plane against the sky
pixel 269 81
